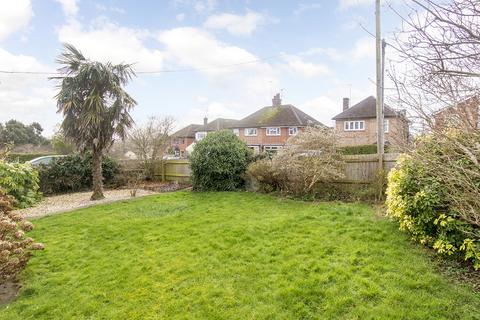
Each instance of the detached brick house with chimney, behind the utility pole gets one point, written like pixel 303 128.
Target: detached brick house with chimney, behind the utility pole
pixel 357 125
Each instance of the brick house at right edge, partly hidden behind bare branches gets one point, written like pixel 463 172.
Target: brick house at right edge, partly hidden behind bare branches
pixel 465 114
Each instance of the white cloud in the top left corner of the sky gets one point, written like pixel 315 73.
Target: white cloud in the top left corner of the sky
pixel 14 15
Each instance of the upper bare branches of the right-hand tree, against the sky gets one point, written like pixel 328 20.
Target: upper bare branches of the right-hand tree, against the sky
pixel 438 65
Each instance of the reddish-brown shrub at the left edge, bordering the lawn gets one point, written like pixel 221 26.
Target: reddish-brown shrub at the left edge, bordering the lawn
pixel 15 247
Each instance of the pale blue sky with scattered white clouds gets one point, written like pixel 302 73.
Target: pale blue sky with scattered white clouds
pixel 216 58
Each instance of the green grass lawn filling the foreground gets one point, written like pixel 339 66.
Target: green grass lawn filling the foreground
pixel 232 256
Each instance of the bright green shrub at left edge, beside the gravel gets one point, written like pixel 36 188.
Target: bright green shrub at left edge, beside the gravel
pixel 19 181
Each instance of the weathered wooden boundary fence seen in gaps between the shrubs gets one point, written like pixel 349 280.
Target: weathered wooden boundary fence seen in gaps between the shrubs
pixel 359 169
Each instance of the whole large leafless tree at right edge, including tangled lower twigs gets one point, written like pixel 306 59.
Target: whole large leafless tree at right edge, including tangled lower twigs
pixel 437 79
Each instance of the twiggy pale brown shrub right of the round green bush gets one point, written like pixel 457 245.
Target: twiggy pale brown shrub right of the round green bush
pixel 309 161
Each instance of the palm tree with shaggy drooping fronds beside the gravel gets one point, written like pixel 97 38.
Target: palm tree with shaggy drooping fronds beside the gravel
pixel 94 105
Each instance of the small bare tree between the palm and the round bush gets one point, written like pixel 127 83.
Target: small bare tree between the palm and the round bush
pixel 151 141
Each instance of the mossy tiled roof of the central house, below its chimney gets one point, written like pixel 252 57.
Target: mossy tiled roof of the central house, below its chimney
pixel 275 116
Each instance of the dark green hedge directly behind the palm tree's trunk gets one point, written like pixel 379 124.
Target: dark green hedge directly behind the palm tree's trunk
pixel 74 173
